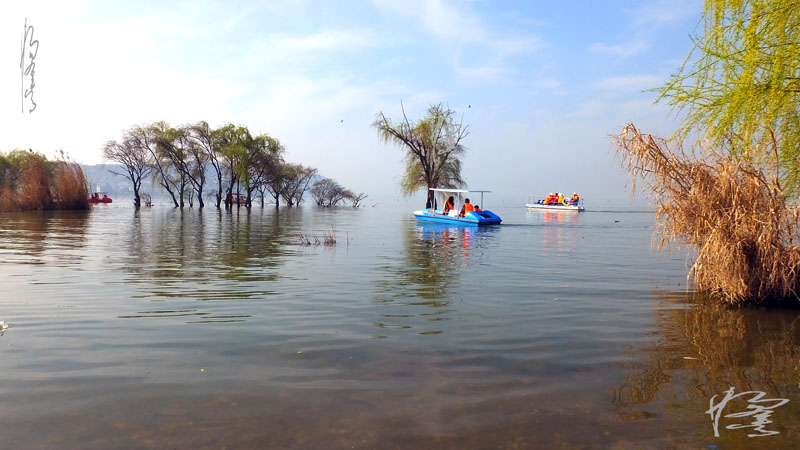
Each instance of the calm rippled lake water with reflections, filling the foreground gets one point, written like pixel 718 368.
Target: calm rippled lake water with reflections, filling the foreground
pixel 185 329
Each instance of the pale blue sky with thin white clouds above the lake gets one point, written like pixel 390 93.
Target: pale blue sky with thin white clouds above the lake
pixel 543 86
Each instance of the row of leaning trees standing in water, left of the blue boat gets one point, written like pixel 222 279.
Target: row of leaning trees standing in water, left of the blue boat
pixel 195 160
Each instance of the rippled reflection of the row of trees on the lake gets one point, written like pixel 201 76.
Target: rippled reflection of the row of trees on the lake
pixel 206 256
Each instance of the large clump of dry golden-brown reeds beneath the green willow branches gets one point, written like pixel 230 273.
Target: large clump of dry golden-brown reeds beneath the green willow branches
pixel 741 222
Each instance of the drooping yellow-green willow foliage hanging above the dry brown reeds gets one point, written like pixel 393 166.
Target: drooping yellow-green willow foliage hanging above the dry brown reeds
pixel 740 84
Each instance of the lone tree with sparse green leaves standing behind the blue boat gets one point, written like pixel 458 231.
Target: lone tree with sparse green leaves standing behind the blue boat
pixel 433 148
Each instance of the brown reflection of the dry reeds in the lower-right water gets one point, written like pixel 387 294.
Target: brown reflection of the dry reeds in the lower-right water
pixel 701 349
